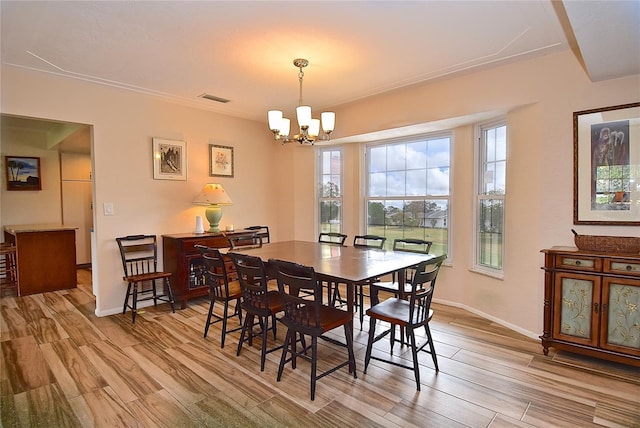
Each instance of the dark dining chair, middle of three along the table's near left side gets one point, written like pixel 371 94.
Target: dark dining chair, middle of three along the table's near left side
pixel 257 302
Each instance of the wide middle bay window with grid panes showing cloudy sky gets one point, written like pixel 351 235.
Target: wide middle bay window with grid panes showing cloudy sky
pixel 408 190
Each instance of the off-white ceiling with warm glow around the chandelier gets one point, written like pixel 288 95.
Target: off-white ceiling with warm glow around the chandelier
pixel 243 51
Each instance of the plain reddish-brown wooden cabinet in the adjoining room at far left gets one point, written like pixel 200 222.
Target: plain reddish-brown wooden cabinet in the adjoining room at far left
pixel 46 257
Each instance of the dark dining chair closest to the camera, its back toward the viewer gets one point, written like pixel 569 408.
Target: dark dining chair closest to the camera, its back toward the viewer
pixel 306 315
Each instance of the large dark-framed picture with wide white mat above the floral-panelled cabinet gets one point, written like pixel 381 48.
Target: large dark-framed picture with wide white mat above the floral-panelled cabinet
pixel 606 165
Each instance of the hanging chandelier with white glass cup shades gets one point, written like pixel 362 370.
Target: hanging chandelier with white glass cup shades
pixel 309 127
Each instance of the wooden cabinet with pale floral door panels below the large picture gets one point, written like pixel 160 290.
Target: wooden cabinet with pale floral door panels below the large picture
pixel 592 304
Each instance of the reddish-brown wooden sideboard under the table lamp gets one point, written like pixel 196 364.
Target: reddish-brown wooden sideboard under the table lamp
pixel 183 260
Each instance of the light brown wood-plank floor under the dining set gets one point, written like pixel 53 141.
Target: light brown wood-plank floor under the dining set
pixel 63 366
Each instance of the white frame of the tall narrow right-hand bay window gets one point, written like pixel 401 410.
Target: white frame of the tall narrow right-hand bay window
pixel 480 196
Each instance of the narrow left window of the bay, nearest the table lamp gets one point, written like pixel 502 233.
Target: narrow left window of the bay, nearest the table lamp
pixel 330 194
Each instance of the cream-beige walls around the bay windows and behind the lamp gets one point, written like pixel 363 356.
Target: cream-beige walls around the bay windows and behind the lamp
pixel 539 94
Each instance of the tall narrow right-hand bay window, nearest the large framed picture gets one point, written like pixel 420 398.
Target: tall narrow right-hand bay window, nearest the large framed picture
pixel 492 167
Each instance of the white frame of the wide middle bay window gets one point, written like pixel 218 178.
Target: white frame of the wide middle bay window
pixel 366 198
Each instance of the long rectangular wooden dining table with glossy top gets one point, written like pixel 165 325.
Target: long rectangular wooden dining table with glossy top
pixel 338 263
